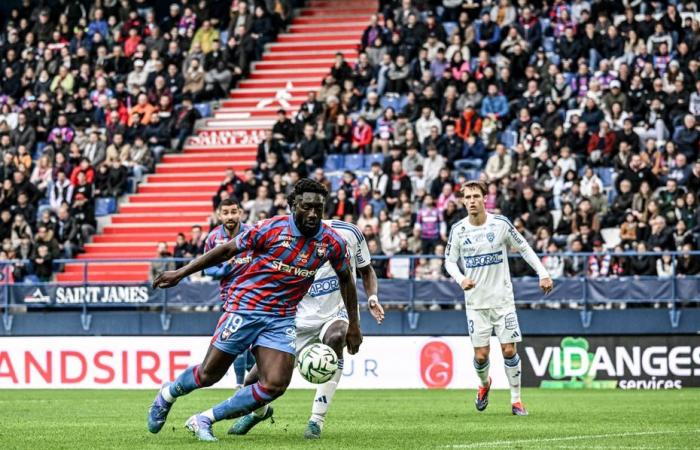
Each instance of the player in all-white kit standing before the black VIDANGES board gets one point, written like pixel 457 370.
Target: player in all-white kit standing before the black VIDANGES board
pixel 480 243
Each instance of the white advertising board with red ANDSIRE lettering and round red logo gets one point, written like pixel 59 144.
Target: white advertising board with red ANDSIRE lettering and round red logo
pixel 146 362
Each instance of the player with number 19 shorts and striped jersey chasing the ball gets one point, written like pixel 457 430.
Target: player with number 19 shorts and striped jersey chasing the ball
pixel 261 305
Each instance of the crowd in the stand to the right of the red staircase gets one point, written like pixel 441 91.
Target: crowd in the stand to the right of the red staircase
pixel 581 117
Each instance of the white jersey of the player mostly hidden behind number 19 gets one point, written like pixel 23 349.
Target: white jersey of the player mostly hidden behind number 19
pixel 323 300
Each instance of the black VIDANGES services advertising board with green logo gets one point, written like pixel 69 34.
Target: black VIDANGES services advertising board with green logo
pixel 625 362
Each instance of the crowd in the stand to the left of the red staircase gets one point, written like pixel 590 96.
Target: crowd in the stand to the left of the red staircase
pixel 91 95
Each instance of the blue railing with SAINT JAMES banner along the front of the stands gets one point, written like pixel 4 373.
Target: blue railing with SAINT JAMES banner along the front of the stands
pixel 404 291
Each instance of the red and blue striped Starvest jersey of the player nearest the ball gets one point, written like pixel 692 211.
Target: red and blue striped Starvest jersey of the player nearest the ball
pixel 284 263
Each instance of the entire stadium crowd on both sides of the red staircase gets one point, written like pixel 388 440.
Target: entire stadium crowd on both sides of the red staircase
pixel 581 117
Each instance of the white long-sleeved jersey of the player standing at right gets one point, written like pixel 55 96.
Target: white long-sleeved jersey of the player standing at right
pixel 482 251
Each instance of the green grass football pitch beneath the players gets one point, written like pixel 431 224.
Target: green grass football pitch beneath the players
pixel 80 419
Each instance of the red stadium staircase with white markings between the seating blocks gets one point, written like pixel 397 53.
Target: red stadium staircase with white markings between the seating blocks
pixel 179 194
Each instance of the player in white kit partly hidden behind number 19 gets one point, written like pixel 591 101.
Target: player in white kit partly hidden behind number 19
pixel 321 317
